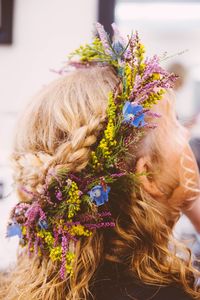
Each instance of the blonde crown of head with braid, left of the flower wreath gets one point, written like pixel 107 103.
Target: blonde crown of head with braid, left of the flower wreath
pixel 62 123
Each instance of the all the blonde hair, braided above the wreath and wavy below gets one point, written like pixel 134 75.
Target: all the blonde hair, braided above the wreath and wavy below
pixel 59 128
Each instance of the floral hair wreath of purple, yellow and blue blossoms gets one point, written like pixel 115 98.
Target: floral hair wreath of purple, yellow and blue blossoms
pixel 73 206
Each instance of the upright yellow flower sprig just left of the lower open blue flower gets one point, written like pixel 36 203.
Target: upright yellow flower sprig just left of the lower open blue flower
pixel 74 200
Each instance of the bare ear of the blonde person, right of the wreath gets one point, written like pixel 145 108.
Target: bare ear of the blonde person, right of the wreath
pixel 148 183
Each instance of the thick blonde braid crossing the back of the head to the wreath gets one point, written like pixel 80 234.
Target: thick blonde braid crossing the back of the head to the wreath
pixel 32 168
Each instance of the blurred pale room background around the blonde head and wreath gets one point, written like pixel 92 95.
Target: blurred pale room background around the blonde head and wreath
pixel 37 35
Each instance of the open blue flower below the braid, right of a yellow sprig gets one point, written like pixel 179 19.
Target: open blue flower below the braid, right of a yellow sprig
pixel 99 194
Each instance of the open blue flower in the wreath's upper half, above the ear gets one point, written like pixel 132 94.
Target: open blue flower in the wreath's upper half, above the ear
pixel 133 114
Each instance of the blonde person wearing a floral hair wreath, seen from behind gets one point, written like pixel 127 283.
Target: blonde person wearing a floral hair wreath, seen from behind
pixel 100 189
